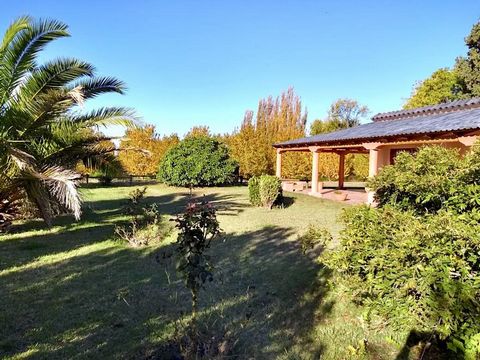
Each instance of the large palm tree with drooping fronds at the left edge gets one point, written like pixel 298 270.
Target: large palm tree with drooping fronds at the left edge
pixel 44 131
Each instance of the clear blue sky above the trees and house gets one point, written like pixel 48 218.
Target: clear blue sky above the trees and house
pixel 205 62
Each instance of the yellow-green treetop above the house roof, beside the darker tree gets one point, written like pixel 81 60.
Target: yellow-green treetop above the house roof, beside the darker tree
pixel 443 85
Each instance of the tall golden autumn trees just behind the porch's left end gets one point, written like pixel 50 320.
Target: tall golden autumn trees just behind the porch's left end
pixel 276 120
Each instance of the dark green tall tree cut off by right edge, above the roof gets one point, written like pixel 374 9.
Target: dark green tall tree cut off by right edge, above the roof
pixel 468 68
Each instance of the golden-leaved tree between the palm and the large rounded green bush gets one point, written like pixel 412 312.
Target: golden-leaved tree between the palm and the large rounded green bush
pixel 141 150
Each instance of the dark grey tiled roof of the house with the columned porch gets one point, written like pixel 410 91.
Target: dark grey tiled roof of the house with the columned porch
pixel 457 116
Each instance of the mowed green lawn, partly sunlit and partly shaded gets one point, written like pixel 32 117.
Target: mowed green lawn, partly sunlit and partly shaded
pixel 74 291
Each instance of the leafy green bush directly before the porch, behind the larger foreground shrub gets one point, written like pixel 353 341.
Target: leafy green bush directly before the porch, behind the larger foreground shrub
pixel 430 180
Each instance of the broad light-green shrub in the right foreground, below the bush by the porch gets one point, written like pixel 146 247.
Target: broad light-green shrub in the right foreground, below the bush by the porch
pixel 420 272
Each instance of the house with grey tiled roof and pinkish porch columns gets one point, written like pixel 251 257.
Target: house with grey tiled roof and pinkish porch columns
pixel 455 125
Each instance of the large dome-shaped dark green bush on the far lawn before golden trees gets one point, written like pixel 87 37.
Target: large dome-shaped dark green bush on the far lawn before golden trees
pixel 197 161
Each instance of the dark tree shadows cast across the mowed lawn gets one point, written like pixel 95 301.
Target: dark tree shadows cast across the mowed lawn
pixel 96 298
